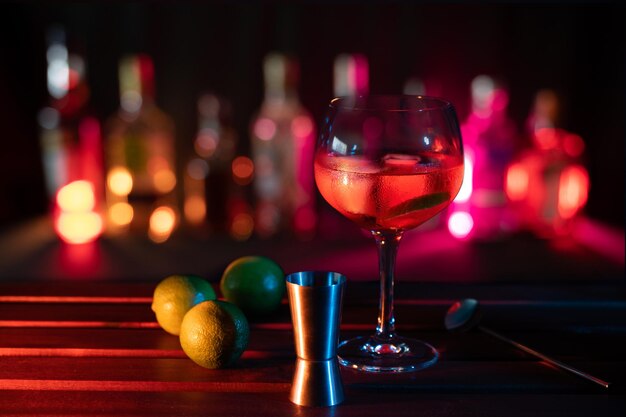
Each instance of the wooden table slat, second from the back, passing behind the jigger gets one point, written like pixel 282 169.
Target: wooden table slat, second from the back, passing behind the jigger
pixel 562 316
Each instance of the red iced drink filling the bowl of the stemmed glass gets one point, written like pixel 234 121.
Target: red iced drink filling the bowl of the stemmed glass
pixel 397 192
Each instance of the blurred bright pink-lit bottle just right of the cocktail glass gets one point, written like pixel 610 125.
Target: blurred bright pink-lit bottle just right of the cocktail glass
pixel 490 141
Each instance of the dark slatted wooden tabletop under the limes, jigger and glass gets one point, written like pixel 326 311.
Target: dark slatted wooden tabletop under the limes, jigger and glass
pixel 94 349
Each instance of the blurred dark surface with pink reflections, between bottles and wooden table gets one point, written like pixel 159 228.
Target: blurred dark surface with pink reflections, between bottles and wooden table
pixel 594 253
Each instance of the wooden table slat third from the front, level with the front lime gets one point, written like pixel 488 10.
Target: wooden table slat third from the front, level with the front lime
pixel 156 342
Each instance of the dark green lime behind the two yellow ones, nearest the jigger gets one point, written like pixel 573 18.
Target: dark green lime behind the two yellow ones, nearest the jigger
pixel 256 284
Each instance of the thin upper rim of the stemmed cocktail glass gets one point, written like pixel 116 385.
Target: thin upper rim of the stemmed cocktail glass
pixel 434 103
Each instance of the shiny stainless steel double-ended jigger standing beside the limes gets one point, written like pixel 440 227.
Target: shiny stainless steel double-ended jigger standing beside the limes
pixel 315 299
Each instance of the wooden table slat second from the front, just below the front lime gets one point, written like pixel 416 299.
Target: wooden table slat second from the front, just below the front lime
pixel 446 376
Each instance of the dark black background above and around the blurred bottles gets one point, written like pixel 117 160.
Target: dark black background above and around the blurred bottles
pixel 578 50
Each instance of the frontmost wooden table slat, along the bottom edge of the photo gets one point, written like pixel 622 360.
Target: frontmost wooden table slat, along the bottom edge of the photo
pixel 358 403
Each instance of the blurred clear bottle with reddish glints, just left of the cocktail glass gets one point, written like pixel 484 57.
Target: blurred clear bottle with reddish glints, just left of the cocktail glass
pixel 282 142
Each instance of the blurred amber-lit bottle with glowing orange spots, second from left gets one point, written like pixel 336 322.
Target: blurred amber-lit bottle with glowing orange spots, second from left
pixel 140 156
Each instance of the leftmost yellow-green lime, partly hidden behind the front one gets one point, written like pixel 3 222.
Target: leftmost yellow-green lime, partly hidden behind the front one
pixel 175 295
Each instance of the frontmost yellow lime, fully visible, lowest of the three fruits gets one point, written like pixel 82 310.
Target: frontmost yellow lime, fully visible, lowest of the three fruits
pixel 214 334
